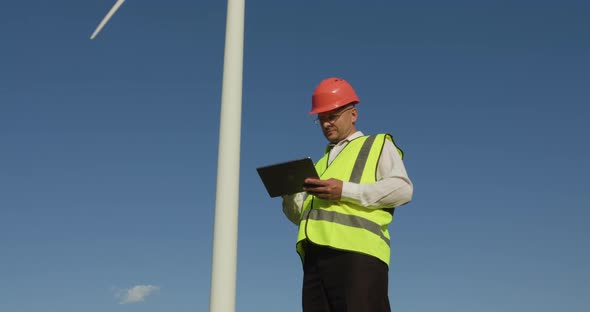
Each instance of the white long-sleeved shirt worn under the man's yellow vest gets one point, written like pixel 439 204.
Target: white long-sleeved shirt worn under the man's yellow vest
pixel 392 189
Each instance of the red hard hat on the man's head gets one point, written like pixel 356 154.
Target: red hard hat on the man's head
pixel 331 94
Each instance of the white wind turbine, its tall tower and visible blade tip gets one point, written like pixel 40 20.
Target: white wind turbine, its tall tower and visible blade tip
pixel 225 233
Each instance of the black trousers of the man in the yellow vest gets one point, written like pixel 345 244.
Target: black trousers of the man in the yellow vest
pixel 342 281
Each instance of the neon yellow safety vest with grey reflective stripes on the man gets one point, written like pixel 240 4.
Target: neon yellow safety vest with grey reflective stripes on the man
pixel 342 225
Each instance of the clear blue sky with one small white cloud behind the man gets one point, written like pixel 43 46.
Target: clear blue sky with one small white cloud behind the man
pixel 108 149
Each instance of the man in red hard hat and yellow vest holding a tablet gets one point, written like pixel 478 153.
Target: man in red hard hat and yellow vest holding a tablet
pixel 343 239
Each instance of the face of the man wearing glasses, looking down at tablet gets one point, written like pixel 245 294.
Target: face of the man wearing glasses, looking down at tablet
pixel 338 124
